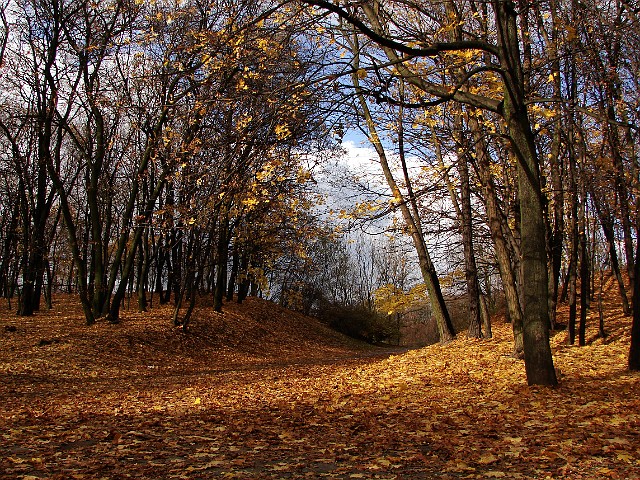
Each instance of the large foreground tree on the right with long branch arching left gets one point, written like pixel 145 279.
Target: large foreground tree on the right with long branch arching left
pixel 502 55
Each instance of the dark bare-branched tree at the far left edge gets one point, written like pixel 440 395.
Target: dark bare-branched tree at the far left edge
pixel 29 126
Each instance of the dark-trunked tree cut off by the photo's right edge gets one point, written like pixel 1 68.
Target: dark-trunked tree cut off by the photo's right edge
pixel 610 109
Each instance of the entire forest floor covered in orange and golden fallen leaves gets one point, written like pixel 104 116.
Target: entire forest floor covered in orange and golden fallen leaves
pixel 260 392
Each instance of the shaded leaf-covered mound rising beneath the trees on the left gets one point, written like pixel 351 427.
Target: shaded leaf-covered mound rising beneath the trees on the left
pixel 256 332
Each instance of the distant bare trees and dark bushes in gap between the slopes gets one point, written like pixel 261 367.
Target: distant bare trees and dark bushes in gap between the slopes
pixel 342 281
